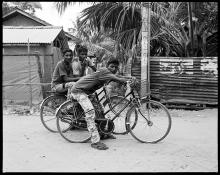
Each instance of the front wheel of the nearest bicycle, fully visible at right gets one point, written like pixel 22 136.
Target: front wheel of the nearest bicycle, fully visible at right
pixel 152 121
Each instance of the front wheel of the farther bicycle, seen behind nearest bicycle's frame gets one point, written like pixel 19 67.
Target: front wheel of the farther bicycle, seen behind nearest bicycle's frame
pixel 119 122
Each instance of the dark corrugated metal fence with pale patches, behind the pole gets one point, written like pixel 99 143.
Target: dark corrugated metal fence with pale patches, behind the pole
pixel 182 80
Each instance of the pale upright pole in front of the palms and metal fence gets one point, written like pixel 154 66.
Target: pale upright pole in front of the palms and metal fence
pixel 145 49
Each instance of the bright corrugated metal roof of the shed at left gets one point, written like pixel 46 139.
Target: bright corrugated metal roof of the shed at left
pixel 35 34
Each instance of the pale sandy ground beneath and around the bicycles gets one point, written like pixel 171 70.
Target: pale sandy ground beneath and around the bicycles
pixel 191 146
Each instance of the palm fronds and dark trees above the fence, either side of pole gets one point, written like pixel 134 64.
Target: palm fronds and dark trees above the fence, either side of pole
pixel 170 29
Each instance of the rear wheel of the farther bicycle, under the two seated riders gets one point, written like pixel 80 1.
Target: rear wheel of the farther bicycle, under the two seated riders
pixel 48 109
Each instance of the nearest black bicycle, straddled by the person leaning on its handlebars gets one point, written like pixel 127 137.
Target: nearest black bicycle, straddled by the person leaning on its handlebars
pixel 139 119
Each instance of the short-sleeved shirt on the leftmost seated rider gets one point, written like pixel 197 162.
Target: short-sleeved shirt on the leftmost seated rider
pixel 60 71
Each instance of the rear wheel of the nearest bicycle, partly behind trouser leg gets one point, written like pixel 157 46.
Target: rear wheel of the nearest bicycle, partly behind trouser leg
pixel 71 123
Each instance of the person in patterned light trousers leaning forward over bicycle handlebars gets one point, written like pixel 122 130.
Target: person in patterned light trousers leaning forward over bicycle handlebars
pixel 88 85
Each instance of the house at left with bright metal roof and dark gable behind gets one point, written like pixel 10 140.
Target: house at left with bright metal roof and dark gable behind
pixel 31 49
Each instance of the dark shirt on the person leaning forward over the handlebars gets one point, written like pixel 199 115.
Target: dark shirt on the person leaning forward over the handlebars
pixel 92 82
